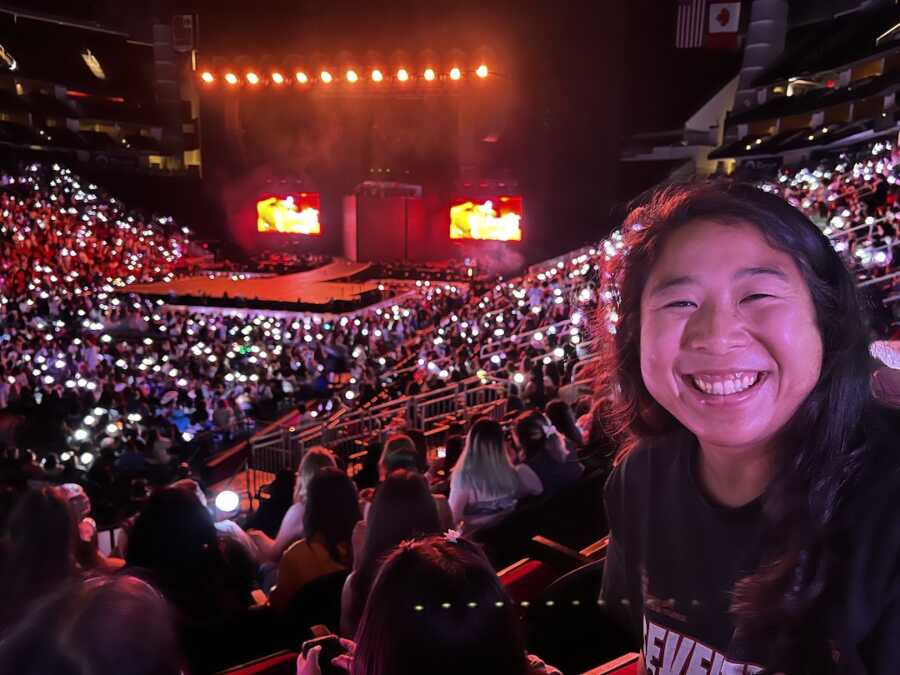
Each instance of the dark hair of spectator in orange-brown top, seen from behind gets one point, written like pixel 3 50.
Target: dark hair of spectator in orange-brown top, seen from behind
pixel 332 511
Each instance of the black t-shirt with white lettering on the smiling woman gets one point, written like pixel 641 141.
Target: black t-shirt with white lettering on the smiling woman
pixel 674 557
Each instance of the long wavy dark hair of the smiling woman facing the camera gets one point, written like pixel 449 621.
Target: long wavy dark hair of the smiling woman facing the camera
pixel 821 453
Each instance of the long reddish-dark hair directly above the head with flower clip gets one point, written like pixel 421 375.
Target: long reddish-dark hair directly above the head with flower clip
pixel 403 509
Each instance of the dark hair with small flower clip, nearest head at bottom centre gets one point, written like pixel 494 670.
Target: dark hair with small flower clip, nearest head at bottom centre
pixel 434 605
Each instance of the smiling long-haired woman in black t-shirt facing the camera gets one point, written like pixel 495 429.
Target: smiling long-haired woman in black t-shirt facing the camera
pixel 755 507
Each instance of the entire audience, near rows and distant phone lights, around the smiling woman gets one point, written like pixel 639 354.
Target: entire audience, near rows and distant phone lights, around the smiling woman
pixel 397 542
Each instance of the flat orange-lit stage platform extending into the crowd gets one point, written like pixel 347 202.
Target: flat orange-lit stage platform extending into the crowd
pixel 315 287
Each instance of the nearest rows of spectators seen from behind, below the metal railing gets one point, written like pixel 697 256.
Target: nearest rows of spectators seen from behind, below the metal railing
pixel 208 568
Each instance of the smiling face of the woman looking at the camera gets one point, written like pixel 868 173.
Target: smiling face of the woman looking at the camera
pixel 729 341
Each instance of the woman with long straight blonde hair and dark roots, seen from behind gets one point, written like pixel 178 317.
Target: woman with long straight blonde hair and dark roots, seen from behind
pixel 485 484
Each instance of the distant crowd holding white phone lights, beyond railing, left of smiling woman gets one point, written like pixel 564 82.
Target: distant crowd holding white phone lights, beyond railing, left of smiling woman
pixel 104 388
